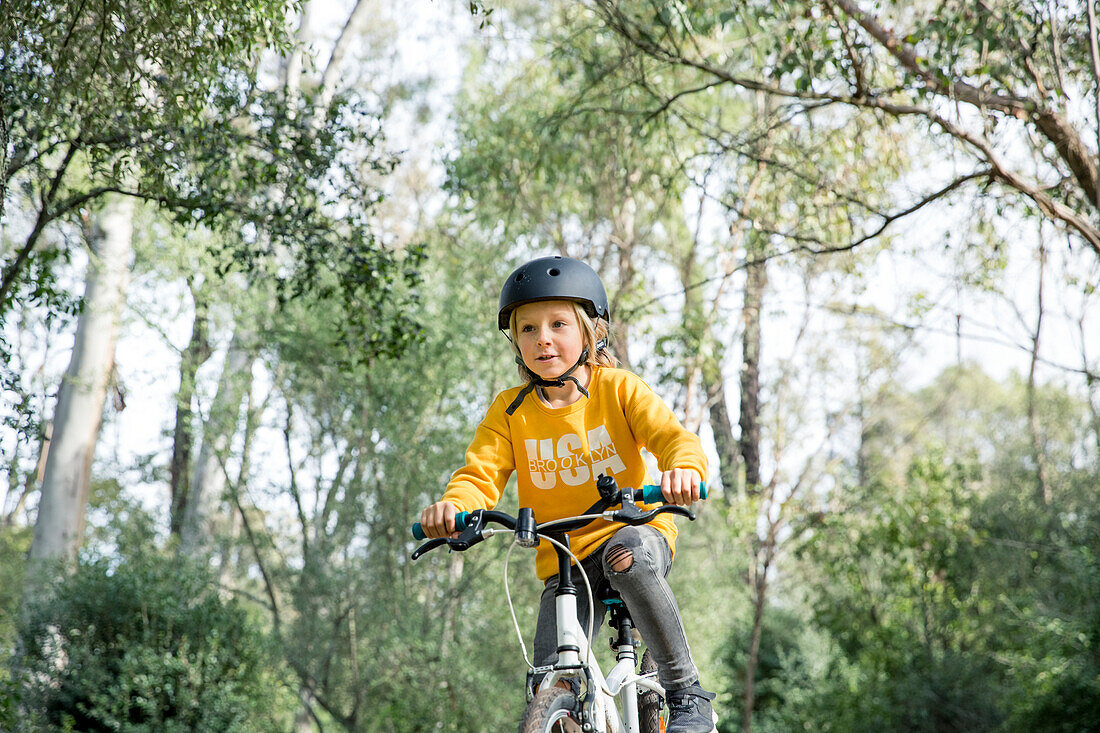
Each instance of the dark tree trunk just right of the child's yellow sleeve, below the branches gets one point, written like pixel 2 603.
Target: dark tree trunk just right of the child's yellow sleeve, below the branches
pixel 755 283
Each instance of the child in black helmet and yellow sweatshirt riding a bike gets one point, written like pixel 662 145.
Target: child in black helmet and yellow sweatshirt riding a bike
pixel 578 418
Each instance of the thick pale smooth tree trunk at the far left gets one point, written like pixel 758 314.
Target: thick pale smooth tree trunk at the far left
pixel 59 530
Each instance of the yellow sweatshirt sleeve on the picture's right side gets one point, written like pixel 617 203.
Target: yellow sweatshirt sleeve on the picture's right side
pixel 657 429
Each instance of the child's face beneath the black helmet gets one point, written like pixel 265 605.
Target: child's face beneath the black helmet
pixel 549 337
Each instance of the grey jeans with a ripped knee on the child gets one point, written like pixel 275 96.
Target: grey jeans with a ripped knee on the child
pixel 647 595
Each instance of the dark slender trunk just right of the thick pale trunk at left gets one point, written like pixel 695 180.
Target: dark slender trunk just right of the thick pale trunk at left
pixel 196 354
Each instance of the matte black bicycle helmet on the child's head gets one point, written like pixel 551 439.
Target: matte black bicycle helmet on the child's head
pixel 554 279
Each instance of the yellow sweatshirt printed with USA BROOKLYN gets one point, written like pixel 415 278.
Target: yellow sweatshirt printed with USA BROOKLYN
pixel 558 454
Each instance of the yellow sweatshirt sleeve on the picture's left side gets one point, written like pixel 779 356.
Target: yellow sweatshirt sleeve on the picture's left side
pixel 490 462
